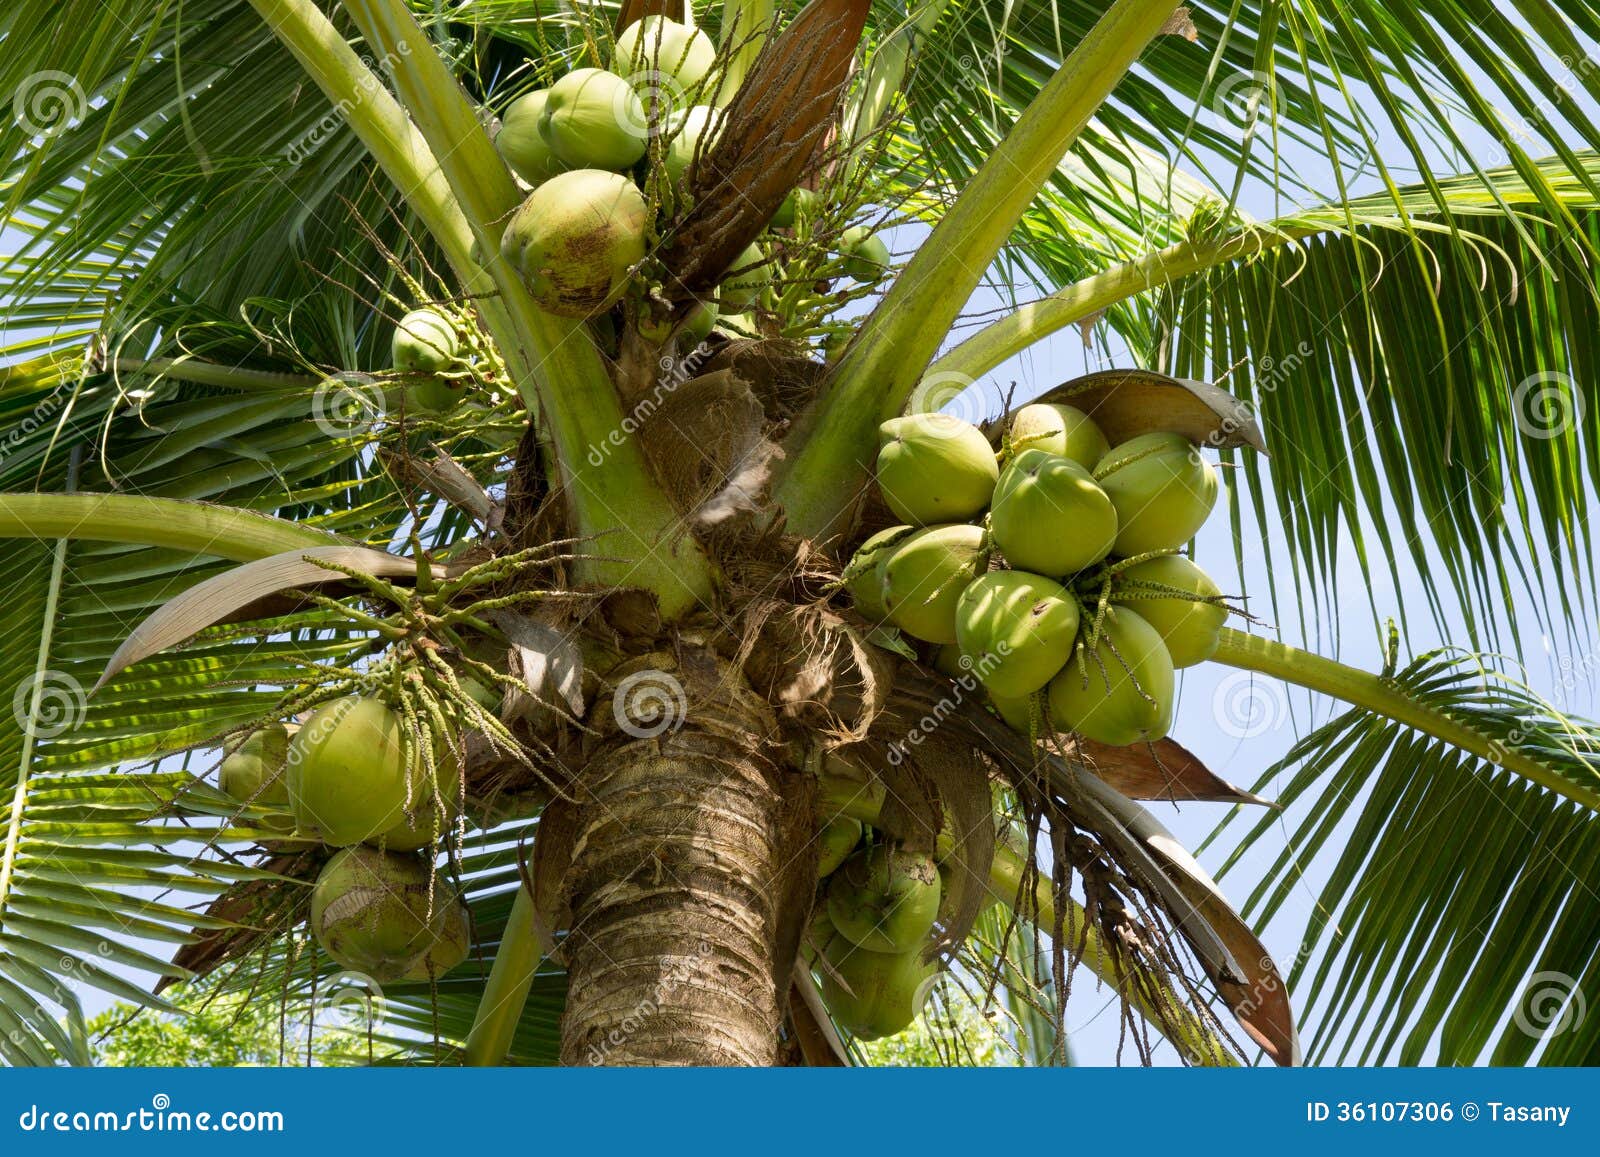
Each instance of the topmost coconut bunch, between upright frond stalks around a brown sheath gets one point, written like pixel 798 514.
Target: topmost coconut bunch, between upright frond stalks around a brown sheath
pixel 607 154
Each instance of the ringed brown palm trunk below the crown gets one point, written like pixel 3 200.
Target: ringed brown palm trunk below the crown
pixel 678 887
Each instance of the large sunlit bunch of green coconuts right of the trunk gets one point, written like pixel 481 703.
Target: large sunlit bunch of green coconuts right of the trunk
pixel 1049 570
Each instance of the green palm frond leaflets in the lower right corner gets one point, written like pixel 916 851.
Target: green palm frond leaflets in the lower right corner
pixel 1457 918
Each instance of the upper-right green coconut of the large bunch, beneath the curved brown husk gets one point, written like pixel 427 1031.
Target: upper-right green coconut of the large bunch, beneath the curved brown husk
pixel 1162 490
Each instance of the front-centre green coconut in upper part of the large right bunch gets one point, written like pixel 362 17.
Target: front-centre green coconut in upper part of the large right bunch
pixel 1050 516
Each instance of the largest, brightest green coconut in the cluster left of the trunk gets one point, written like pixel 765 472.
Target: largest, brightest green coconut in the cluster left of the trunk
pixel 346 772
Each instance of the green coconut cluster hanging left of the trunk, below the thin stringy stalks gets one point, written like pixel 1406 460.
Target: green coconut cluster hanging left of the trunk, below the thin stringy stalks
pixel 345 777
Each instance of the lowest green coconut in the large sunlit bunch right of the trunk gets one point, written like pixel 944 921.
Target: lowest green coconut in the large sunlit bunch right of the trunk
pixel 1124 691
